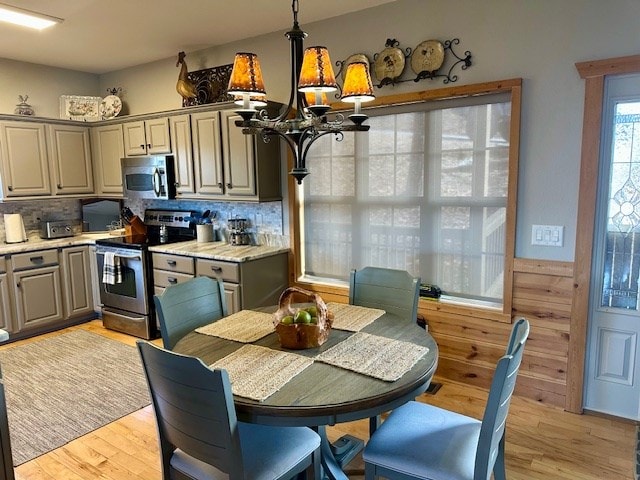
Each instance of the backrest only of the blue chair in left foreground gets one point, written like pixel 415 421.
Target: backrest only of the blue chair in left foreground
pixel 194 408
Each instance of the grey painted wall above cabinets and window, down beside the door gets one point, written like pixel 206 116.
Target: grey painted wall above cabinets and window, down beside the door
pixel 537 40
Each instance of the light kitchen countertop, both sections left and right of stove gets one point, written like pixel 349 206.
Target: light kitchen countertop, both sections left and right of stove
pixel 209 250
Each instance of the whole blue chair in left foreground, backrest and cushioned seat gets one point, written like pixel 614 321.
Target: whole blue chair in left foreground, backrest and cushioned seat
pixel 200 437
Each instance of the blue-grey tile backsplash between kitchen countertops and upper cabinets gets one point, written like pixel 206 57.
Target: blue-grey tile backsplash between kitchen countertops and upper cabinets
pixel 263 218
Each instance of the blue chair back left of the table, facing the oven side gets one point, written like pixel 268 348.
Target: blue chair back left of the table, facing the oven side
pixel 187 305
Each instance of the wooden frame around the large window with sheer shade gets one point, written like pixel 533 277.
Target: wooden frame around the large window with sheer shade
pixel 513 87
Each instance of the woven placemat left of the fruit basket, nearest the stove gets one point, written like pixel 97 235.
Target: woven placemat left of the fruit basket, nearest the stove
pixel 245 326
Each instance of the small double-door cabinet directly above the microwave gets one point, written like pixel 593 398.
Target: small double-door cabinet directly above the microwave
pixel 147 137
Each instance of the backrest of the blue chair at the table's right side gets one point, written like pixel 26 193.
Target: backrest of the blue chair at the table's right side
pixel 497 408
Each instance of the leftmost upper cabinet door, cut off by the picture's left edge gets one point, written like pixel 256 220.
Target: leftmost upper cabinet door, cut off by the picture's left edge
pixel 25 166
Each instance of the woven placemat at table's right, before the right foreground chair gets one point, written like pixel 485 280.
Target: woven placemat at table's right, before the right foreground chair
pixel 378 357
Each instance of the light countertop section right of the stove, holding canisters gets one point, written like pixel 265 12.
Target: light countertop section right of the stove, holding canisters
pixel 219 250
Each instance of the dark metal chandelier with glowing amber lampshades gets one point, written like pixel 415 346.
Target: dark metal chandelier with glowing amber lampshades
pixel 304 120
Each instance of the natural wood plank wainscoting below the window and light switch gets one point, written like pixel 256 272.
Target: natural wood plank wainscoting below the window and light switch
pixel 471 345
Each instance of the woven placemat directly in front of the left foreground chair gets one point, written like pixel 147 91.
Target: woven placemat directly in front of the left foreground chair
pixel 257 372
